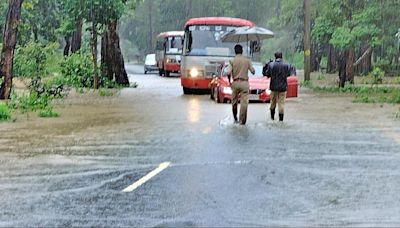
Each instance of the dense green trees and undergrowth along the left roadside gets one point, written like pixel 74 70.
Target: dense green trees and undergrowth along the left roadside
pixel 55 50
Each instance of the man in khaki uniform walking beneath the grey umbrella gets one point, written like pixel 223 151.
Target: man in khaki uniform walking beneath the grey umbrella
pixel 238 72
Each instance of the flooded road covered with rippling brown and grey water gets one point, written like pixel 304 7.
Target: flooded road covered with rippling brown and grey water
pixel 332 162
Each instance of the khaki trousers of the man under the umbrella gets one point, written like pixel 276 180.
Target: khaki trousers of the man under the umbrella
pixel 240 88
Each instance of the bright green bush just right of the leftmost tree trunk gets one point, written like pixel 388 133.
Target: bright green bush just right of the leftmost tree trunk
pixel 31 60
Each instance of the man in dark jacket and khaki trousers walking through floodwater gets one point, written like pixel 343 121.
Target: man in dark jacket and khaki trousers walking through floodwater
pixel 278 71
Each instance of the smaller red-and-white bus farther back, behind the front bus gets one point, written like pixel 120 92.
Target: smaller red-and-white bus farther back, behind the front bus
pixel 169 51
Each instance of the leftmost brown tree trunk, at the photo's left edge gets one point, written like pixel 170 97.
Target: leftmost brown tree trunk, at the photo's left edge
pixel 9 42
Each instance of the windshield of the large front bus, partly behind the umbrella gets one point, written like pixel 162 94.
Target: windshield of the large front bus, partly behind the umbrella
pixel 205 40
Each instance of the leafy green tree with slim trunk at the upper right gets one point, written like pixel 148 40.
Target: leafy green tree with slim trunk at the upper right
pixel 348 26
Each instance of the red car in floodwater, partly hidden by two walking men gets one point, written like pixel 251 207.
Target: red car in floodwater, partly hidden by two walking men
pixel 259 85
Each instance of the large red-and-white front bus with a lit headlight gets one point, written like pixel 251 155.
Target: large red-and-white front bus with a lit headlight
pixel 203 50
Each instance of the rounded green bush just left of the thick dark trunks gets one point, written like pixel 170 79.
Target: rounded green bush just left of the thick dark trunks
pixel 77 71
